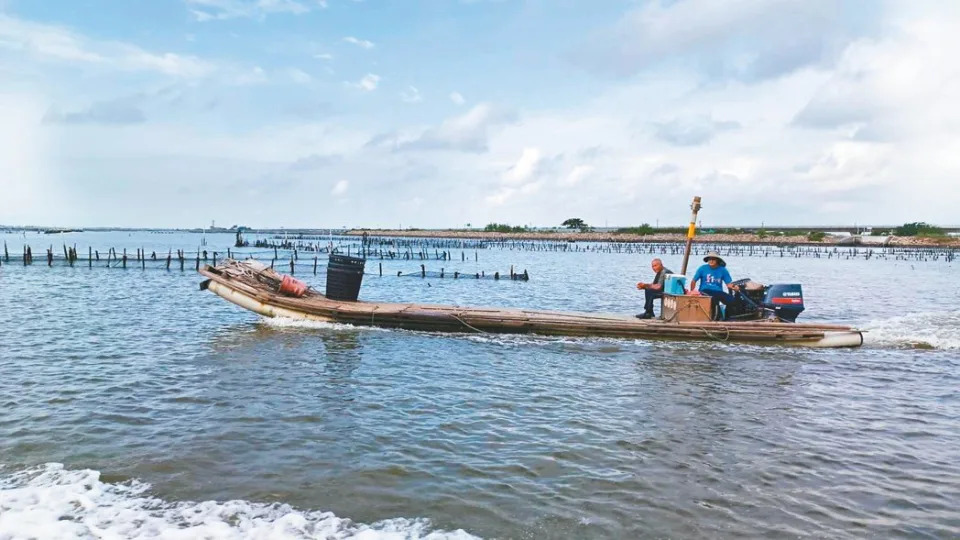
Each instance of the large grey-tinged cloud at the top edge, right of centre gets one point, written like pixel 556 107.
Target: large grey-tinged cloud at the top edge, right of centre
pixel 744 39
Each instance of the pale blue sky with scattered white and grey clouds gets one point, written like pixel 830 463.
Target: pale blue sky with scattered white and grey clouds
pixel 443 113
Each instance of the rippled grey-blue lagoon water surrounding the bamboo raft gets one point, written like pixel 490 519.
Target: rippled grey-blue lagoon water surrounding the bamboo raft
pixel 134 405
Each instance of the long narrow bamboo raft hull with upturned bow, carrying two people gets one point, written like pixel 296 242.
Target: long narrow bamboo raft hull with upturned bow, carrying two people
pixel 254 286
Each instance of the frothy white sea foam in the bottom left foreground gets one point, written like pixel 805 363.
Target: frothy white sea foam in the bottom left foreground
pixel 50 501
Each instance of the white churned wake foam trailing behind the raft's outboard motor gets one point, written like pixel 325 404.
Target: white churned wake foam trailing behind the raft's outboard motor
pixel 933 330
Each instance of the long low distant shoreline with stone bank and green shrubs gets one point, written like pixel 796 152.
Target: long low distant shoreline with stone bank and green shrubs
pixel 891 241
